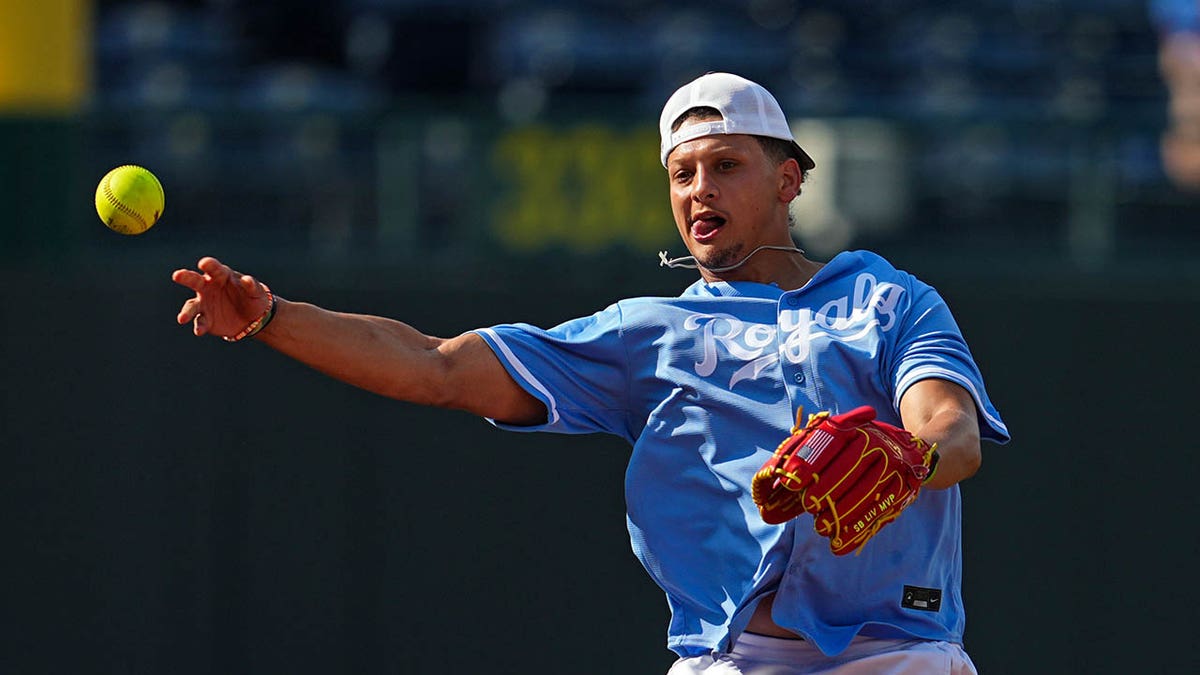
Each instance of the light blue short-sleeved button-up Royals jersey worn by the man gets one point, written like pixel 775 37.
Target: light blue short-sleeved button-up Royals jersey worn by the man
pixel 705 387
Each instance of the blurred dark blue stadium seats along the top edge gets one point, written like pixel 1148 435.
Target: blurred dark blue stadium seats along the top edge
pixel 826 57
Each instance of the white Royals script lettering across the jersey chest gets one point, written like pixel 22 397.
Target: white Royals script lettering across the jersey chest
pixel 873 306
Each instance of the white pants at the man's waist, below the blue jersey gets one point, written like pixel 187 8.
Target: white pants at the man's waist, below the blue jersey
pixel 760 655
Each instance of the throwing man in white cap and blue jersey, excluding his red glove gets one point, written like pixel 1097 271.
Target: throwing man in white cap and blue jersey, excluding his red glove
pixel 705 387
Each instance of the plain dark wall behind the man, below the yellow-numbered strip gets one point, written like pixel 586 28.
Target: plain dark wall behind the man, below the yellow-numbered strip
pixel 187 506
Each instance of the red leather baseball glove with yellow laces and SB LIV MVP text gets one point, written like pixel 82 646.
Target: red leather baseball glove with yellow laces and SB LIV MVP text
pixel 853 474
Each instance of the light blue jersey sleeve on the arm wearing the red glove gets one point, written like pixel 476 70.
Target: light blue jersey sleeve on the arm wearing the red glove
pixel 932 347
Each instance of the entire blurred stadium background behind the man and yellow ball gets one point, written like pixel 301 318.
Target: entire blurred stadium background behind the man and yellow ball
pixel 185 506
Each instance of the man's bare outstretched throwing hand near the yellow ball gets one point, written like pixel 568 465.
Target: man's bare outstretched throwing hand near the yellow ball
pixel 225 302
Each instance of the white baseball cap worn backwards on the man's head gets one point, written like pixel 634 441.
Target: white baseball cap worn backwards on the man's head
pixel 746 107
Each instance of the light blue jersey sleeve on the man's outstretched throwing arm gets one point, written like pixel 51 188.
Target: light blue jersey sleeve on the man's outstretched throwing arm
pixel 579 371
